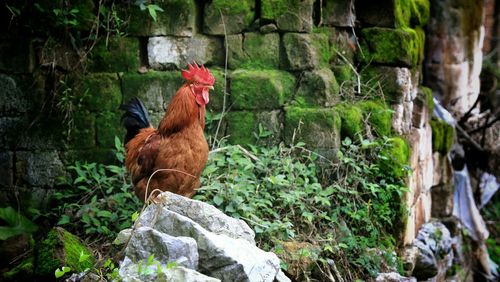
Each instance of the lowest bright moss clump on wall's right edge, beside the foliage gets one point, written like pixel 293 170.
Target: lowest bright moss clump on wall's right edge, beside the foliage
pixel 395 158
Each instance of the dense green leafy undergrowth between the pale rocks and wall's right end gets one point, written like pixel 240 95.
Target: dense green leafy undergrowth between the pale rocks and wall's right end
pixel 348 212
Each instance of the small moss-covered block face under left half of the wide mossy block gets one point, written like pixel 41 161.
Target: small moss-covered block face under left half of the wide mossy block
pixel 241 126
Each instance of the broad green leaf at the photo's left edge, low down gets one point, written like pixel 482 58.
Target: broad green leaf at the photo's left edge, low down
pixel 17 224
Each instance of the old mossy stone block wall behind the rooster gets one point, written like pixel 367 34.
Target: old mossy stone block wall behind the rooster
pixel 318 71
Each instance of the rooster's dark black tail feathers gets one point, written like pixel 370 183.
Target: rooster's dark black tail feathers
pixel 135 118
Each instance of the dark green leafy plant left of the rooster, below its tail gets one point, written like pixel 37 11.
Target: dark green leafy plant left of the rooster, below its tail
pixel 98 200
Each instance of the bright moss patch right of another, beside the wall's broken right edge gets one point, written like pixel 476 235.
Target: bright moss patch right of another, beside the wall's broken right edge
pixel 379 116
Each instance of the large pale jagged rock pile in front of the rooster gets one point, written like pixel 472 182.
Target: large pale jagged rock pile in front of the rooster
pixel 225 246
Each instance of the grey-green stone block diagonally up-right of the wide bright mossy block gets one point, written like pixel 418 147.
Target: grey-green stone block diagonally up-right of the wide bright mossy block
pixel 306 51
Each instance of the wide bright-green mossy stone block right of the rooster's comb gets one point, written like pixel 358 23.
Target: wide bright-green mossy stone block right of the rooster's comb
pixel 260 89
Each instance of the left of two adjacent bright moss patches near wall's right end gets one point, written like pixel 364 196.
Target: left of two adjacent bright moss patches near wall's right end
pixel 352 120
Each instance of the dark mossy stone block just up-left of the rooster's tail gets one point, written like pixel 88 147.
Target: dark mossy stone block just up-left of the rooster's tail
pixel 100 92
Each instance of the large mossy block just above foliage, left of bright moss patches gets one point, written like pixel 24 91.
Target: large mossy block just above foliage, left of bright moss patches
pixel 318 128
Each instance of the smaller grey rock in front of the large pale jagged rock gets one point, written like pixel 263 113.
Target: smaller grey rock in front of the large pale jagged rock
pixel 146 241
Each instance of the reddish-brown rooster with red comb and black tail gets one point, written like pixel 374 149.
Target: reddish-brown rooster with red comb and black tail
pixel 172 157
